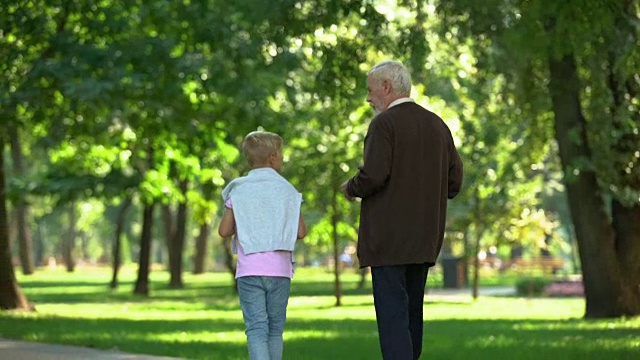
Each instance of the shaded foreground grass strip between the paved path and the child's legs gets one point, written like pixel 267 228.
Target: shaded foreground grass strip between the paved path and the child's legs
pixel 157 337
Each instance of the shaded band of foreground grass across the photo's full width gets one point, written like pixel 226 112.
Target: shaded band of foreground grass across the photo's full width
pixel 336 339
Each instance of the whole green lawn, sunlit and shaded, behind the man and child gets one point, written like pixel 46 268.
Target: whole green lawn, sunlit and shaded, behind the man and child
pixel 219 332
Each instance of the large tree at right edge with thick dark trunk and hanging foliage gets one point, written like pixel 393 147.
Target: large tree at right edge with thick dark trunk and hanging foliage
pixel 561 49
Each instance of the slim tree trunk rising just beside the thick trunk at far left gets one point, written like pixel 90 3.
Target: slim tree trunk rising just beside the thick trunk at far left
pixel 25 243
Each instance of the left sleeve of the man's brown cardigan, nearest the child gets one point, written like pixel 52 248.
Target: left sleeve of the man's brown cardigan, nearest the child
pixel 378 155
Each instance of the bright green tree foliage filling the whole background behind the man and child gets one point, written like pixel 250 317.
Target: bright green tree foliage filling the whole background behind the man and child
pixel 124 99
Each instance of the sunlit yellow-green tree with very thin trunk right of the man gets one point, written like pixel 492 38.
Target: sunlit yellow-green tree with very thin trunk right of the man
pixel 503 181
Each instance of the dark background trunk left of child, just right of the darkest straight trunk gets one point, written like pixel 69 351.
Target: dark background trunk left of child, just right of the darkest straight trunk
pixel 176 246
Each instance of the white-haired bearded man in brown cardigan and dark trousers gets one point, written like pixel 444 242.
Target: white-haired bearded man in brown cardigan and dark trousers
pixel 411 167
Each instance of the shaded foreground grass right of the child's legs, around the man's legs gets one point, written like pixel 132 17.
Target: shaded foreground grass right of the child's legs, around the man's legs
pixel 468 339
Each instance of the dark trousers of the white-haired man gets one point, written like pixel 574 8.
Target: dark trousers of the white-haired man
pixel 398 295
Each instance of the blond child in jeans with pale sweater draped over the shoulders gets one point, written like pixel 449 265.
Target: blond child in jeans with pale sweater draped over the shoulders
pixel 263 211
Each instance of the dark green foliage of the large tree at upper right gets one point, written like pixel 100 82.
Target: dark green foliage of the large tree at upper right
pixel 517 39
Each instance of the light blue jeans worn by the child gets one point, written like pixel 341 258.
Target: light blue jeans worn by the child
pixel 263 300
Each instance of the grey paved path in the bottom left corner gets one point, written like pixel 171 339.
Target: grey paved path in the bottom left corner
pixel 22 350
